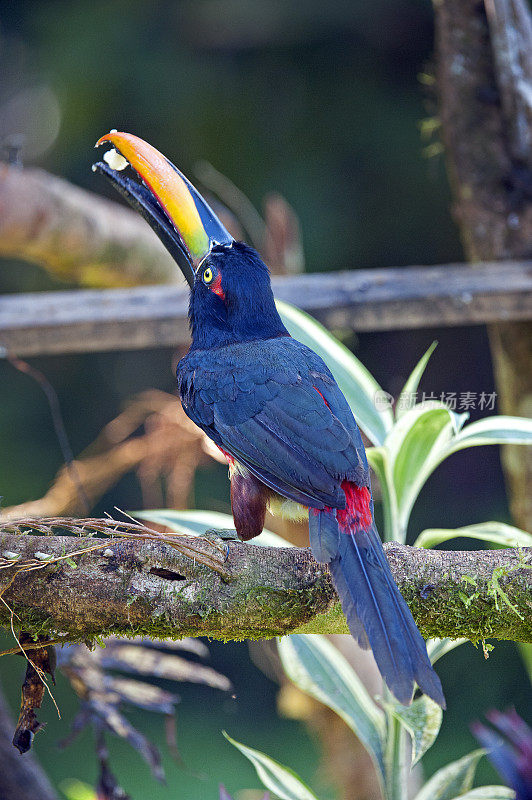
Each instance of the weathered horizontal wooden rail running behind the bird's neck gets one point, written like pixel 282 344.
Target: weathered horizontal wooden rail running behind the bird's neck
pixel 366 300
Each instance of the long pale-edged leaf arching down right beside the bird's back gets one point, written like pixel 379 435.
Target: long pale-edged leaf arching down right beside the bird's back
pixel 356 382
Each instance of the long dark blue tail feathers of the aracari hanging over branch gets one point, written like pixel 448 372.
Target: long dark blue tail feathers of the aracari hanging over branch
pixel 377 615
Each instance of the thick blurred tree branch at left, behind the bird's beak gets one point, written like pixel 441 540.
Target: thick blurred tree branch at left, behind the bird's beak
pixel 76 235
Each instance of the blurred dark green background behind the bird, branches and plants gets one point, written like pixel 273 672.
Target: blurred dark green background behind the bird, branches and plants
pixel 323 103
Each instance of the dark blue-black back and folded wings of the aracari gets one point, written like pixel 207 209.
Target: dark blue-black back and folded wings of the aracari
pixel 274 405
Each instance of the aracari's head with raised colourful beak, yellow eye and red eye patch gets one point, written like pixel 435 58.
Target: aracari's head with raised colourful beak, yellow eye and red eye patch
pixel 231 296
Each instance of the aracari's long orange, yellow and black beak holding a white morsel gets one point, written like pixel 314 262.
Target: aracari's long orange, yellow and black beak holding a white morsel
pixel 176 211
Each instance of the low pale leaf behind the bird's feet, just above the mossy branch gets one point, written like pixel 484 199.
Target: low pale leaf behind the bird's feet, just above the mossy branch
pixel 195 523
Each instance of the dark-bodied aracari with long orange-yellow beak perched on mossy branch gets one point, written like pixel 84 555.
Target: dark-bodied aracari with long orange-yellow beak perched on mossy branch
pixel 273 407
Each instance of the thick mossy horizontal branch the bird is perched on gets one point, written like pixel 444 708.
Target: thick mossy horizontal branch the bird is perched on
pixel 150 587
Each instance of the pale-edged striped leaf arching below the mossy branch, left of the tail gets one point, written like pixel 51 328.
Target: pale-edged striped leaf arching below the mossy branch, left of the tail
pixel 319 669
